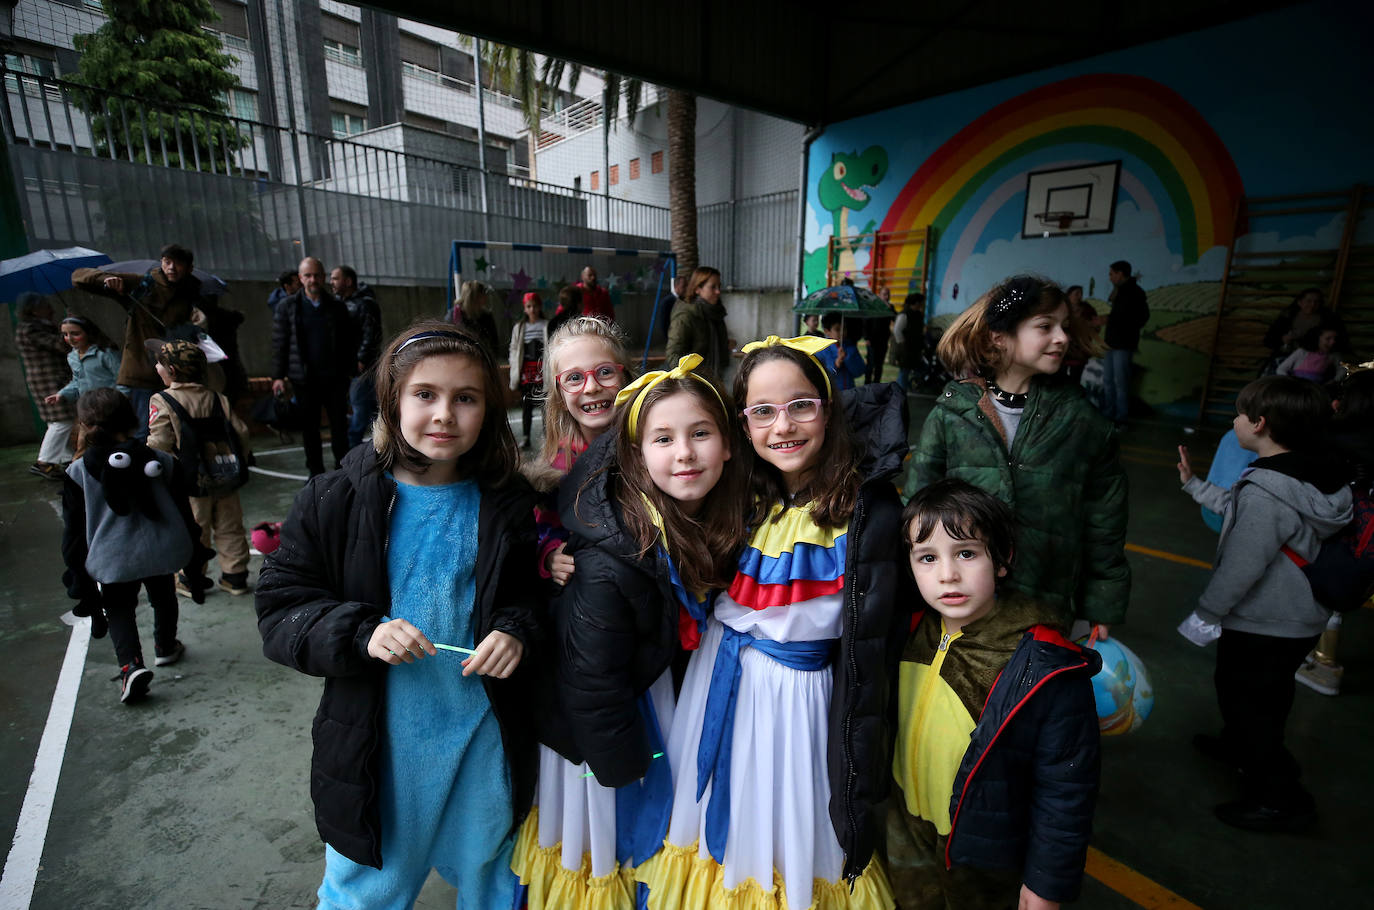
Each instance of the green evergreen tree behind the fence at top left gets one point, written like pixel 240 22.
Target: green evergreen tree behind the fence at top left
pixel 156 85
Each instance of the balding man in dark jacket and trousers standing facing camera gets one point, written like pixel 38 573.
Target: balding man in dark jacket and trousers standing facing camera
pixel 314 346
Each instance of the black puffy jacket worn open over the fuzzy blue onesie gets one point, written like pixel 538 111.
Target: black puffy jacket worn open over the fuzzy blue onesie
pixel 324 593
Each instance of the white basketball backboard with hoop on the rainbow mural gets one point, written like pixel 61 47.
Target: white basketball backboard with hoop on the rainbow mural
pixel 1079 200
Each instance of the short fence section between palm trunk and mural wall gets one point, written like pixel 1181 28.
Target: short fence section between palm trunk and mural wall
pixel 752 241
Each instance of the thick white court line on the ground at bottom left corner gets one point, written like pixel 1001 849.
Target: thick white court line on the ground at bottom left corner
pixel 21 867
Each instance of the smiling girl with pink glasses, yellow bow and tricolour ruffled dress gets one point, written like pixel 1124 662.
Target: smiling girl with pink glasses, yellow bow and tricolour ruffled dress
pixel 778 743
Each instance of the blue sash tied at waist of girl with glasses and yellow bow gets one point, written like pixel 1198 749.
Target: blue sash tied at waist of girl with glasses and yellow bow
pixel 717 735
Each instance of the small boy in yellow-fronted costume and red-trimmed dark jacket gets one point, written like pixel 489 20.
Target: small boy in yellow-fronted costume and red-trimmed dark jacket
pixel 997 758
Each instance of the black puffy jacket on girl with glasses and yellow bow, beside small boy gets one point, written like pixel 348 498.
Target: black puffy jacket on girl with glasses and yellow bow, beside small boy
pixel 879 597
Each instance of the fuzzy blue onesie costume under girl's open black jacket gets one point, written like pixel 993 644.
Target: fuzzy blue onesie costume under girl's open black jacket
pixel 446 791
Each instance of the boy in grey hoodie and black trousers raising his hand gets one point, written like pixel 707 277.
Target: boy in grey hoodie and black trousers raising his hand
pixel 1276 518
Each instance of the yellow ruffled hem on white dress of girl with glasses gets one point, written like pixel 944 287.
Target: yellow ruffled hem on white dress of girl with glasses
pixel 681 879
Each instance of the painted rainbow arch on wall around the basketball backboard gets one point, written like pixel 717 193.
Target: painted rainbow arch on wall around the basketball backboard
pixel 1175 166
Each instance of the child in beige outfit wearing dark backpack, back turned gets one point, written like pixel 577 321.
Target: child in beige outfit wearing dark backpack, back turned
pixel 201 430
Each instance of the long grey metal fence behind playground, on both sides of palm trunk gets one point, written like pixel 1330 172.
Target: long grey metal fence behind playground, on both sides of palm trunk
pixel 251 199
